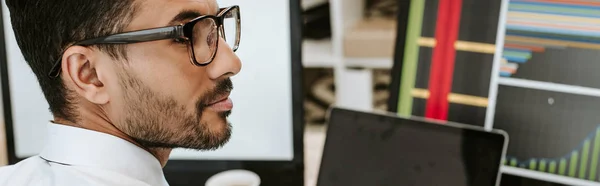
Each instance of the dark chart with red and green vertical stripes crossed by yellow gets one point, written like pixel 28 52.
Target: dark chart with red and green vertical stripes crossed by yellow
pixel 448 59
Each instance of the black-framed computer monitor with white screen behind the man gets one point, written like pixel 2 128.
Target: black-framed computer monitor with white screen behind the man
pixel 267 119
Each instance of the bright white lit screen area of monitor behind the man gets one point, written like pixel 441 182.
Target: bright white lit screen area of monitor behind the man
pixel 262 117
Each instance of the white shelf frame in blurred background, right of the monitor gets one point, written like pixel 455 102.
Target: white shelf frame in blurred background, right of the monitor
pixel 353 75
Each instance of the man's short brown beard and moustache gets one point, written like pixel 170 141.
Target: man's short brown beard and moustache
pixel 157 121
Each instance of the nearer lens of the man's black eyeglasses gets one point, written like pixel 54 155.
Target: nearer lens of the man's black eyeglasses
pixel 205 40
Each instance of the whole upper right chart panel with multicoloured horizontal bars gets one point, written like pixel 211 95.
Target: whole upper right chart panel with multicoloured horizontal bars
pixel 545 29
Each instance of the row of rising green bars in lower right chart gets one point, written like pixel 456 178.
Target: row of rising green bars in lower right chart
pixel 580 163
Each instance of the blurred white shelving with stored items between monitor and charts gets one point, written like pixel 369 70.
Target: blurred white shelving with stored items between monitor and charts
pixel 340 33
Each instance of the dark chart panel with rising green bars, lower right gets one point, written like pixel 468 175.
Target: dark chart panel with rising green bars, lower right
pixel 551 132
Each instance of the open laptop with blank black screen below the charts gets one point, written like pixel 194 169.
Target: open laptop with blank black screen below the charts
pixel 371 149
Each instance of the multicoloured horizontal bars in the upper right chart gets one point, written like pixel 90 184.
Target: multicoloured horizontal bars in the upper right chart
pixel 534 25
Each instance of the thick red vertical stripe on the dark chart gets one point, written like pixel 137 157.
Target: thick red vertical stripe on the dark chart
pixel 442 66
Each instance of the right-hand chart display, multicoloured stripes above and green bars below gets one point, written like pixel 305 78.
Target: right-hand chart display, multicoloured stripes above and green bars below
pixel 552 130
